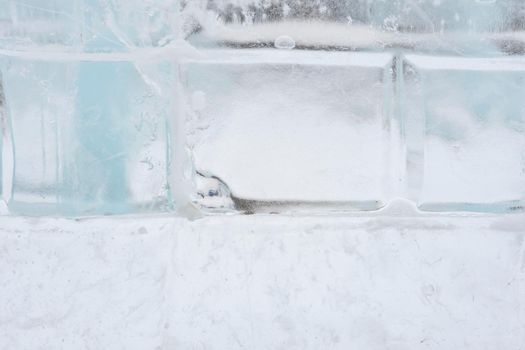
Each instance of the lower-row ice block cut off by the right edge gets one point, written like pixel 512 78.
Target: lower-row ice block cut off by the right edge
pixel 465 132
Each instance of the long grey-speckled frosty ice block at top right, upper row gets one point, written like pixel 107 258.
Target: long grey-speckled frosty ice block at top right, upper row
pixel 468 27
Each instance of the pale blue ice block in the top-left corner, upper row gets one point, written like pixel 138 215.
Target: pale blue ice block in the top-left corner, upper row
pixel 86 25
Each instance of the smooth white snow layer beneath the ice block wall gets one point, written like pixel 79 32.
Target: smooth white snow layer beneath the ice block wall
pixel 263 282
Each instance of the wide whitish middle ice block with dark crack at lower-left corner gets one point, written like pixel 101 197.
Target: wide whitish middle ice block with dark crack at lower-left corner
pixel 282 131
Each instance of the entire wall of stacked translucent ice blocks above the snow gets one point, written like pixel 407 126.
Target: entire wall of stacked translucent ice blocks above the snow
pixel 282 106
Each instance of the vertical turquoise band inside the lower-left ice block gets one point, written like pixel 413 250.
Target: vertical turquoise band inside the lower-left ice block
pixel 97 172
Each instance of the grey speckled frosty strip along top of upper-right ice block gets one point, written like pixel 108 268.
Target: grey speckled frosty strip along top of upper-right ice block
pixel 404 15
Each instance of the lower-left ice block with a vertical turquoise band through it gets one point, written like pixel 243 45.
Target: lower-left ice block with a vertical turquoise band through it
pixel 89 135
